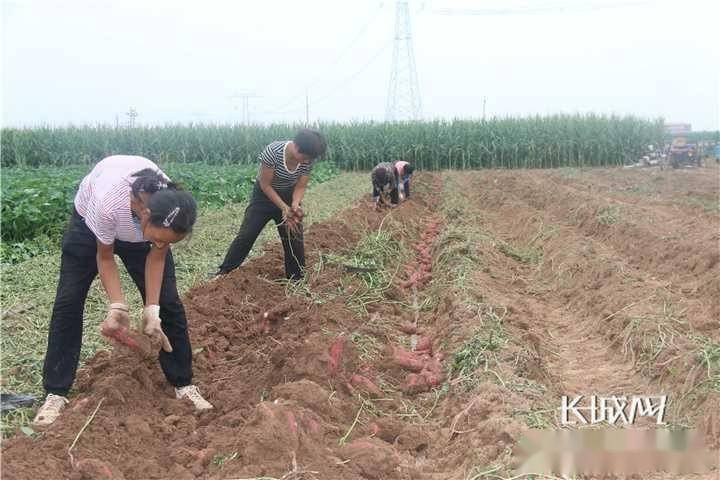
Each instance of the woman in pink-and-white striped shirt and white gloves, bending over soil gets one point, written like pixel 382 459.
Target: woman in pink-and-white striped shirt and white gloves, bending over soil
pixel 126 206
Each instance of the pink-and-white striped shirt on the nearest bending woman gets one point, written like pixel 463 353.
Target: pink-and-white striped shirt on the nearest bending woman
pixel 103 198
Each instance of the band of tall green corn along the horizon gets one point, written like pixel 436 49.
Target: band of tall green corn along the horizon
pixel 535 142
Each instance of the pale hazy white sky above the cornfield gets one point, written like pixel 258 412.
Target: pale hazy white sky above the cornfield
pixel 179 61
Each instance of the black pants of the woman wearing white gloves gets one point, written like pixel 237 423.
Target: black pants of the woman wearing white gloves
pixel 78 269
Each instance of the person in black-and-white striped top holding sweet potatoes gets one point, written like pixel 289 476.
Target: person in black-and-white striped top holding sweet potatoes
pixel 283 176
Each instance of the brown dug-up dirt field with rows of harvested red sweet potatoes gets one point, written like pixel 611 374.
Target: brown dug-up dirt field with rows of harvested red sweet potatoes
pixel 495 293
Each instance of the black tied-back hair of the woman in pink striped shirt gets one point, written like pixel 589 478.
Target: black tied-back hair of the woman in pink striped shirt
pixel 170 206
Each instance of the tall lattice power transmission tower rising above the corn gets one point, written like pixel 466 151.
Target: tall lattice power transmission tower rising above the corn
pixel 403 101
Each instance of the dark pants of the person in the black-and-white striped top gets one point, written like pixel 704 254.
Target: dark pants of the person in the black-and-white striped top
pixel 257 214
